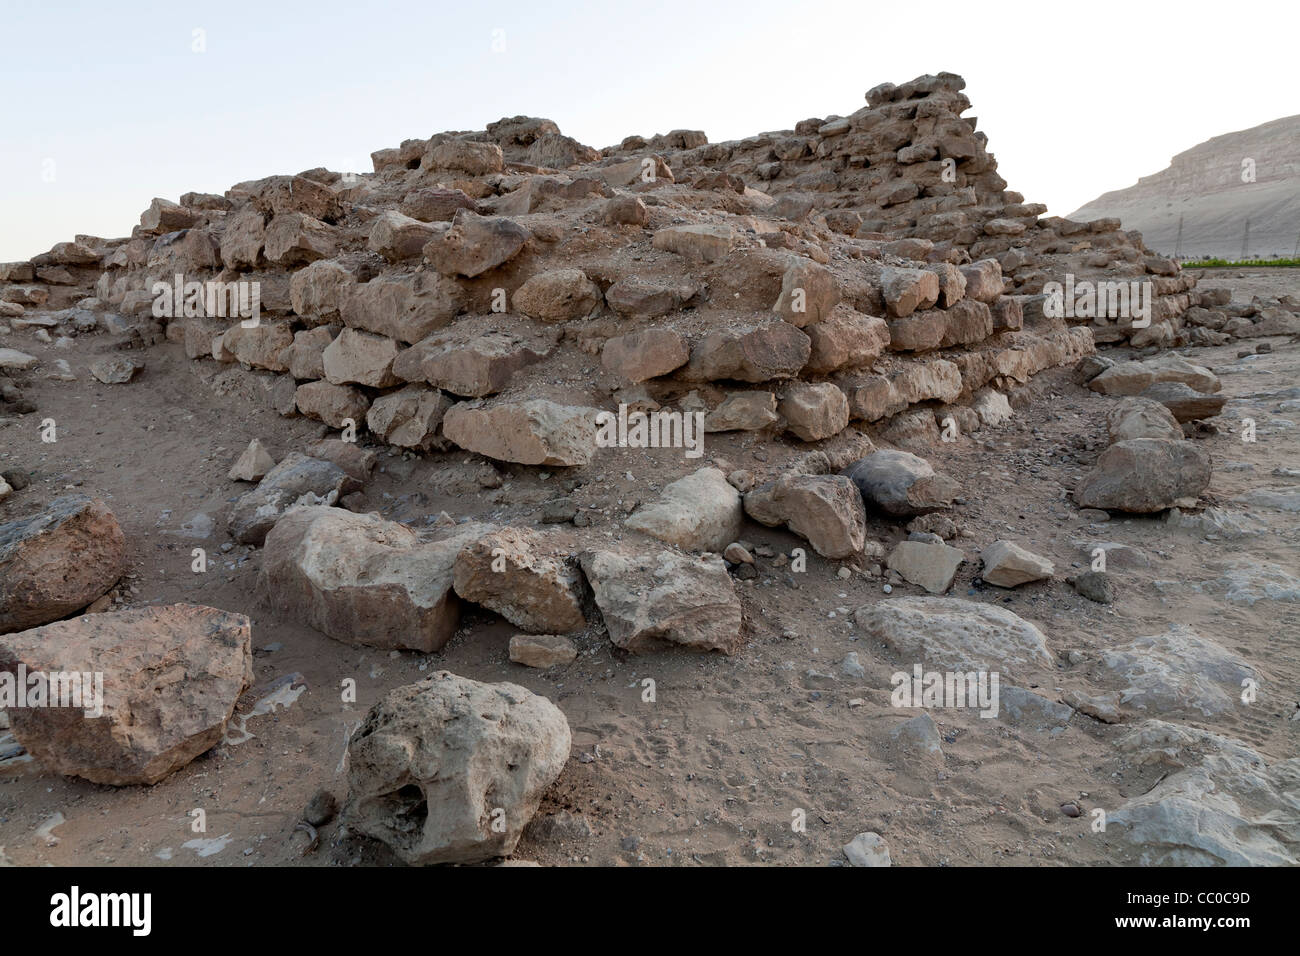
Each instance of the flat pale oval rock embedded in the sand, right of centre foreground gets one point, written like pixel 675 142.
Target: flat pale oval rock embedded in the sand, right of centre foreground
pixel 954 635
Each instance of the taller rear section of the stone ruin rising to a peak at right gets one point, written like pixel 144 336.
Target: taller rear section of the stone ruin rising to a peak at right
pixel 911 166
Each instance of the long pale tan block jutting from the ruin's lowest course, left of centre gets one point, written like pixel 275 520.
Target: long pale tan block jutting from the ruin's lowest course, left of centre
pixel 532 432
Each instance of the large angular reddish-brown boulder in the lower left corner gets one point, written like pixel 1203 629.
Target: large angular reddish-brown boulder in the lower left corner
pixel 171 680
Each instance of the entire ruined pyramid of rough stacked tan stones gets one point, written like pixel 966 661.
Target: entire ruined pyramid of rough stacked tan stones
pixel 850 270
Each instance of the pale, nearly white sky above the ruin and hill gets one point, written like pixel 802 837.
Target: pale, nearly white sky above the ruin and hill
pixel 111 105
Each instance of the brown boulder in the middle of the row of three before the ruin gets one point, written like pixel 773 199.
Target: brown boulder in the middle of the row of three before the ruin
pixel 514 573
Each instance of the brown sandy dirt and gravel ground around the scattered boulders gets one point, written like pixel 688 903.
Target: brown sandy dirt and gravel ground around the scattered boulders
pixel 727 751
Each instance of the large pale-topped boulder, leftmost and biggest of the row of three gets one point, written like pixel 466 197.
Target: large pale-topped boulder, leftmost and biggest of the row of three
pixel 362 579
